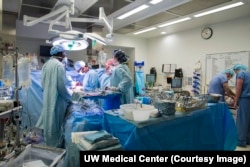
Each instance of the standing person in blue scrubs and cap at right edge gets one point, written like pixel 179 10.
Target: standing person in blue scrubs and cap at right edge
pixel 242 101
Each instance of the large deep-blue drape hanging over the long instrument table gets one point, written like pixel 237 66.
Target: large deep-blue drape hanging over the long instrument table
pixel 212 128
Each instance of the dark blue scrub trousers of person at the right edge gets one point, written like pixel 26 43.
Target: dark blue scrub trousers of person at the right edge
pixel 243 122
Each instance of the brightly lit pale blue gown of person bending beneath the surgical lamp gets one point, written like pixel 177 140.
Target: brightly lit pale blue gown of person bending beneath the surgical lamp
pixel 90 81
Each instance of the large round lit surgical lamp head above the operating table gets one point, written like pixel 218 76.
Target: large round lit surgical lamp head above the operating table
pixel 71 45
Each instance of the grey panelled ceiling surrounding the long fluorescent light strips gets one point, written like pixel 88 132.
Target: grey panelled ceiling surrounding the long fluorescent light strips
pixel 154 15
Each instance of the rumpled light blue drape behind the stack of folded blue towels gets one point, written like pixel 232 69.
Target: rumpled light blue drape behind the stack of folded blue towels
pixel 81 117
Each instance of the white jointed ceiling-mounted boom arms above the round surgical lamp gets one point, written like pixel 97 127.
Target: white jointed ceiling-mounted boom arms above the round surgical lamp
pixel 62 16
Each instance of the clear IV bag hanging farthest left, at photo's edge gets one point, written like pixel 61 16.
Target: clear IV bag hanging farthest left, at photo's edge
pixel 8 70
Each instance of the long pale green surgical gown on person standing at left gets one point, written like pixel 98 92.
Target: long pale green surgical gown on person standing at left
pixel 55 101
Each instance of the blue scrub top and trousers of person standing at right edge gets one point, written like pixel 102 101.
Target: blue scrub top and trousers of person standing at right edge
pixel 243 114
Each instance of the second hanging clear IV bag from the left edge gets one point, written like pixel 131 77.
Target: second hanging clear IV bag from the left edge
pixel 24 72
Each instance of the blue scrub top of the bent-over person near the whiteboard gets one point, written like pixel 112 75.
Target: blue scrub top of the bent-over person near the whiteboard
pixel 216 85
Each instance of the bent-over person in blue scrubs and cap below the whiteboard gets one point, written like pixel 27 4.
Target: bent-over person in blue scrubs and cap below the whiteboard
pixel 219 84
